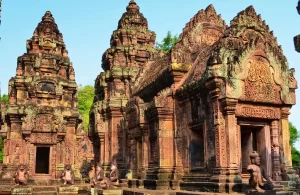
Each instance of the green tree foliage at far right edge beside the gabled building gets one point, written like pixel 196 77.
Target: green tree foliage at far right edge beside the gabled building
pixel 294 136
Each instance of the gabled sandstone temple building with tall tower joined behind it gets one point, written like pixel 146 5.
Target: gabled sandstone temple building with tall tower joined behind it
pixel 188 119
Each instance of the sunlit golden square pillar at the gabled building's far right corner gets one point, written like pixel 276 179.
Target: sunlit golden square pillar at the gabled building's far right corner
pixel 286 147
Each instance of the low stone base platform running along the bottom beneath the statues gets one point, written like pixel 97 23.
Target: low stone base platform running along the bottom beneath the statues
pixel 136 187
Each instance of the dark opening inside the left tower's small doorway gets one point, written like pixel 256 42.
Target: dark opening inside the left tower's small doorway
pixel 42 160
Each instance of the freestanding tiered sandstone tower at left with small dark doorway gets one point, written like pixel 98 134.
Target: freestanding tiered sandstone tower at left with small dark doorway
pixel 43 128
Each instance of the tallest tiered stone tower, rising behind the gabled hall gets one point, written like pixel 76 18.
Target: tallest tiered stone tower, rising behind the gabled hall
pixel 132 46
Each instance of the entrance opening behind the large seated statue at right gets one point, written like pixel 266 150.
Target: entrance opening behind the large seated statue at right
pixel 255 138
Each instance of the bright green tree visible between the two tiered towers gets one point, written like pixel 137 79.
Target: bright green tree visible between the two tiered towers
pixel 85 101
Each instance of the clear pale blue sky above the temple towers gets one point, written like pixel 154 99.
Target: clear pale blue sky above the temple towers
pixel 87 27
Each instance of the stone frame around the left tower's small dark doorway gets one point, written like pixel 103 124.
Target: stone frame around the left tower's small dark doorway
pixel 42 176
